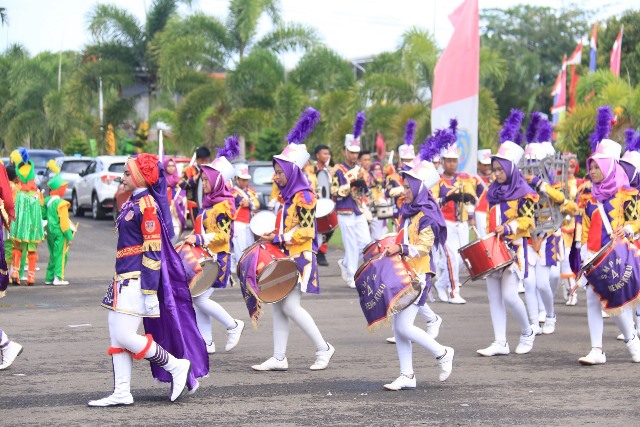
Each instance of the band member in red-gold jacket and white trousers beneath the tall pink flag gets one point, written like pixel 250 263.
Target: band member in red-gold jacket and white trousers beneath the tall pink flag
pixel 457 193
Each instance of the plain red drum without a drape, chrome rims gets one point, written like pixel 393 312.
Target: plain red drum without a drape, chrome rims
pixel 486 255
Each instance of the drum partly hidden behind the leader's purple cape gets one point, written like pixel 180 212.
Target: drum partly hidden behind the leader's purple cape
pixel 201 266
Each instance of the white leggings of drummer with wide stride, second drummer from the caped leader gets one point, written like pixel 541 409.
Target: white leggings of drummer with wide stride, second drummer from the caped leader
pixel 290 309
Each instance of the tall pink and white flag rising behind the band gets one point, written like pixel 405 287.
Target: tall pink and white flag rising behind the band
pixel 457 83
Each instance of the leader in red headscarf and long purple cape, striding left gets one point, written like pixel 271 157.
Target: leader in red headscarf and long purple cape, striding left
pixel 150 285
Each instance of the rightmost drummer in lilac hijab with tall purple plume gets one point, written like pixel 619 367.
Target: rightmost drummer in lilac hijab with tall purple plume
pixel 610 213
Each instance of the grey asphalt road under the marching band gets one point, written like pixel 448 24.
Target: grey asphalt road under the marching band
pixel 64 364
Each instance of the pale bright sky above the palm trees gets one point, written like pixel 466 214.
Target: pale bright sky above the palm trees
pixel 353 28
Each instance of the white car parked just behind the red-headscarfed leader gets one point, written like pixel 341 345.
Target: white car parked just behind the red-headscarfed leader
pixel 97 186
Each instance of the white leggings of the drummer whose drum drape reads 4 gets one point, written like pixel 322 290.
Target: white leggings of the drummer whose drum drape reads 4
pixel 406 333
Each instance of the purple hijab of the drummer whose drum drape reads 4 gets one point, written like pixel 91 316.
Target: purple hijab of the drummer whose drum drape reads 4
pixel 424 202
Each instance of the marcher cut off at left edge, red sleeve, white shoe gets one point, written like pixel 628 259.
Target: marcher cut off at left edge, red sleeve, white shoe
pixel 9 350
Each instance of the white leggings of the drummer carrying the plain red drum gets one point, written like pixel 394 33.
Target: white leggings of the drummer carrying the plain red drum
pixel 503 292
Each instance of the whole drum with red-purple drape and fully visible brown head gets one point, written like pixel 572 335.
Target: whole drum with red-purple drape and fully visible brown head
pixel 267 272
